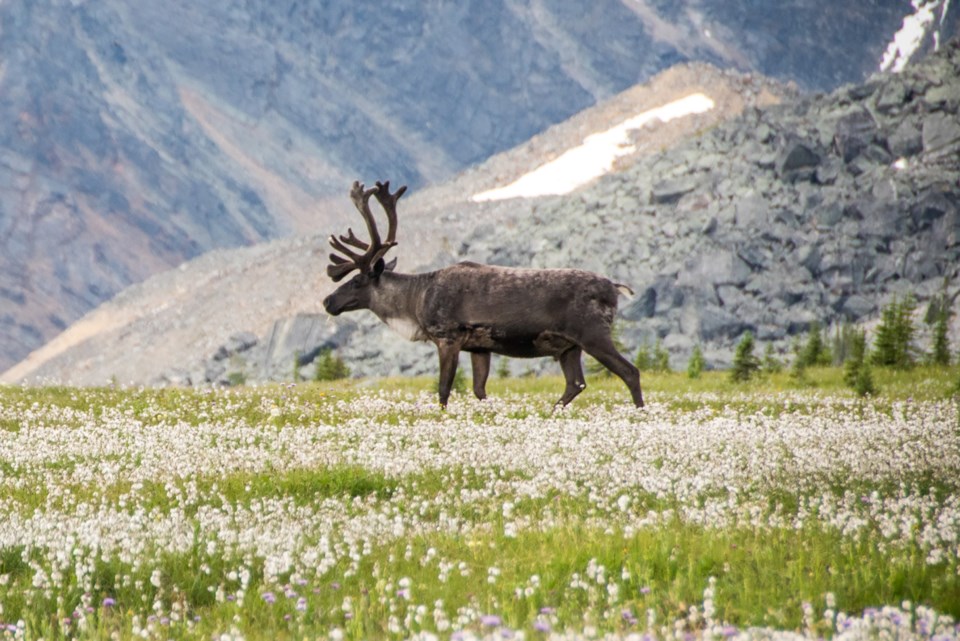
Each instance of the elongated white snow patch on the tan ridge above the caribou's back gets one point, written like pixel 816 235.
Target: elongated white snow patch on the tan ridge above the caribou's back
pixel 595 157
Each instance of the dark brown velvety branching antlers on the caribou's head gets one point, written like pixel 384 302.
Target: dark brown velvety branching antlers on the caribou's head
pixel 341 265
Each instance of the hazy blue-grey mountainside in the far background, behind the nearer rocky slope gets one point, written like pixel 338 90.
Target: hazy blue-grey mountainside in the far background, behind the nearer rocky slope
pixel 145 134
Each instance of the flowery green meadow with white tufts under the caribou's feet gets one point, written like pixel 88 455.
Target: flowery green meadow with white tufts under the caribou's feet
pixel 778 508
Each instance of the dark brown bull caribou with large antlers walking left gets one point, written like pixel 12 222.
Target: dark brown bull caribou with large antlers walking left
pixel 480 309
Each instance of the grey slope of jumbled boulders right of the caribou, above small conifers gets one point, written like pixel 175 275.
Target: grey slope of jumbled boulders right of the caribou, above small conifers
pixel 821 210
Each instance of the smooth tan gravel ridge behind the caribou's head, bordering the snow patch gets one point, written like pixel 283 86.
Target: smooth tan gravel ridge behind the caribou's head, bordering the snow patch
pixel 247 313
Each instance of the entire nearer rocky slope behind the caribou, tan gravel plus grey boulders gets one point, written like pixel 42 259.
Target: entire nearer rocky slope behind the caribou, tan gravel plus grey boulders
pixel 818 209
